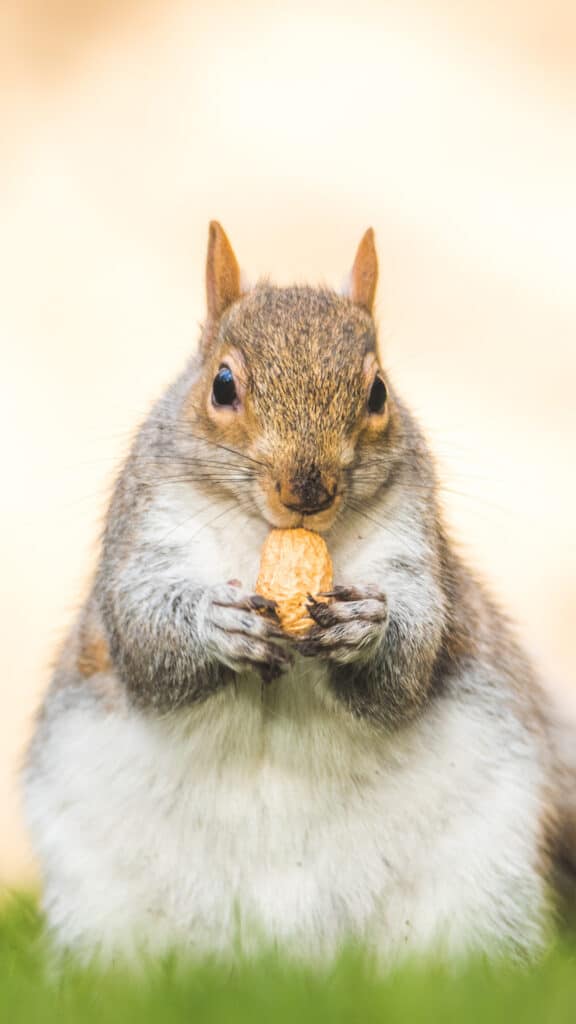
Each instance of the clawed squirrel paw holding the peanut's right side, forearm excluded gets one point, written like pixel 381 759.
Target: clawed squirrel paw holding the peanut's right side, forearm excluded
pixel 350 628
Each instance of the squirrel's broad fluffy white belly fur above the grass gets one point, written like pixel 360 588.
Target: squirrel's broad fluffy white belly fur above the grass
pixel 252 820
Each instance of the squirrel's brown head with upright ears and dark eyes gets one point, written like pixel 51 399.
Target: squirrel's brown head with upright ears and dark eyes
pixel 292 391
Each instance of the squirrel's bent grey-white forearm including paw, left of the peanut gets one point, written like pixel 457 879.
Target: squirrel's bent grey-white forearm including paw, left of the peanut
pixel 176 645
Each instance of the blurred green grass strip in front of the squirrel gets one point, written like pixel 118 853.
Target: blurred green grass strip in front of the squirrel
pixel 269 991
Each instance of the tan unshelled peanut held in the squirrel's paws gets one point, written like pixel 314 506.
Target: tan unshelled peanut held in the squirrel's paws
pixel 295 564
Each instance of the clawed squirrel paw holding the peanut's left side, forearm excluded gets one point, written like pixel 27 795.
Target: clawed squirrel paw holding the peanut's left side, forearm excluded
pixel 241 631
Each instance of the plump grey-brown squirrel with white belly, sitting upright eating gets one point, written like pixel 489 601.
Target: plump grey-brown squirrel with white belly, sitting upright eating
pixel 199 781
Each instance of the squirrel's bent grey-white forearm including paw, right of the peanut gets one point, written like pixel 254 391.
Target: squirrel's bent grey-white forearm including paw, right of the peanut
pixel 381 647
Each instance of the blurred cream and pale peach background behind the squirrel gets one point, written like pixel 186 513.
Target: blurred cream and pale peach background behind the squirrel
pixel 128 124
